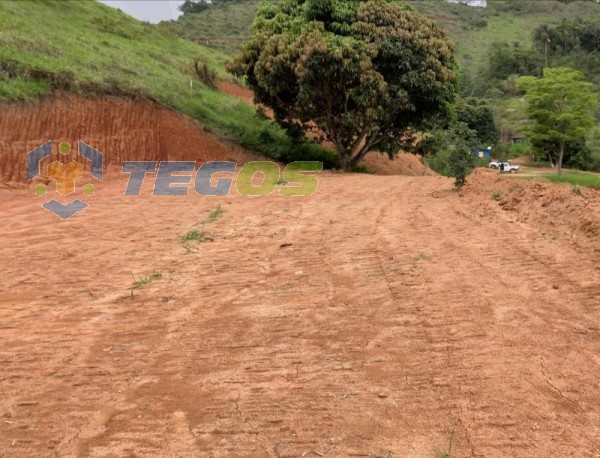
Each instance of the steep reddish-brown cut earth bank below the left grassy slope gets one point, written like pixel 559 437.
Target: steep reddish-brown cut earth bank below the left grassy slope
pixel 121 129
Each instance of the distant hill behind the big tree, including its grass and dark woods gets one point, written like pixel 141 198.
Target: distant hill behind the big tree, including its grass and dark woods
pixel 494 45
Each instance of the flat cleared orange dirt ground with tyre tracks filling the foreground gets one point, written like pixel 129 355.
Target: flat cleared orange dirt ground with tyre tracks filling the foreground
pixel 381 316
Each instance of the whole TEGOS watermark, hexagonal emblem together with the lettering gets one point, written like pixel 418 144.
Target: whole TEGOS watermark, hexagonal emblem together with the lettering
pixel 170 178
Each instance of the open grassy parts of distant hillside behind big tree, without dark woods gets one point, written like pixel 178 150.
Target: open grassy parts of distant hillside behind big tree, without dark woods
pixel 474 31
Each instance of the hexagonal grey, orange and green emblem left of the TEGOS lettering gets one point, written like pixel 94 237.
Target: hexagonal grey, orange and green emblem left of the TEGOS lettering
pixel 65 175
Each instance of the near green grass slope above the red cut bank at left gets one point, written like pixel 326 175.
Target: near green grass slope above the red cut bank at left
pixel 88 48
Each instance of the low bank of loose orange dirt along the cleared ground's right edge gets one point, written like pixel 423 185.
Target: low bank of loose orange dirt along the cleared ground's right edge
pixel 558 211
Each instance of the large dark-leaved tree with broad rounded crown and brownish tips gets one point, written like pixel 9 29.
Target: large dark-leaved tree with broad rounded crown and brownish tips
pixel 365 74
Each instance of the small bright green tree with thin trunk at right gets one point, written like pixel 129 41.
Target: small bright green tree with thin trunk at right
pixel 560 107
